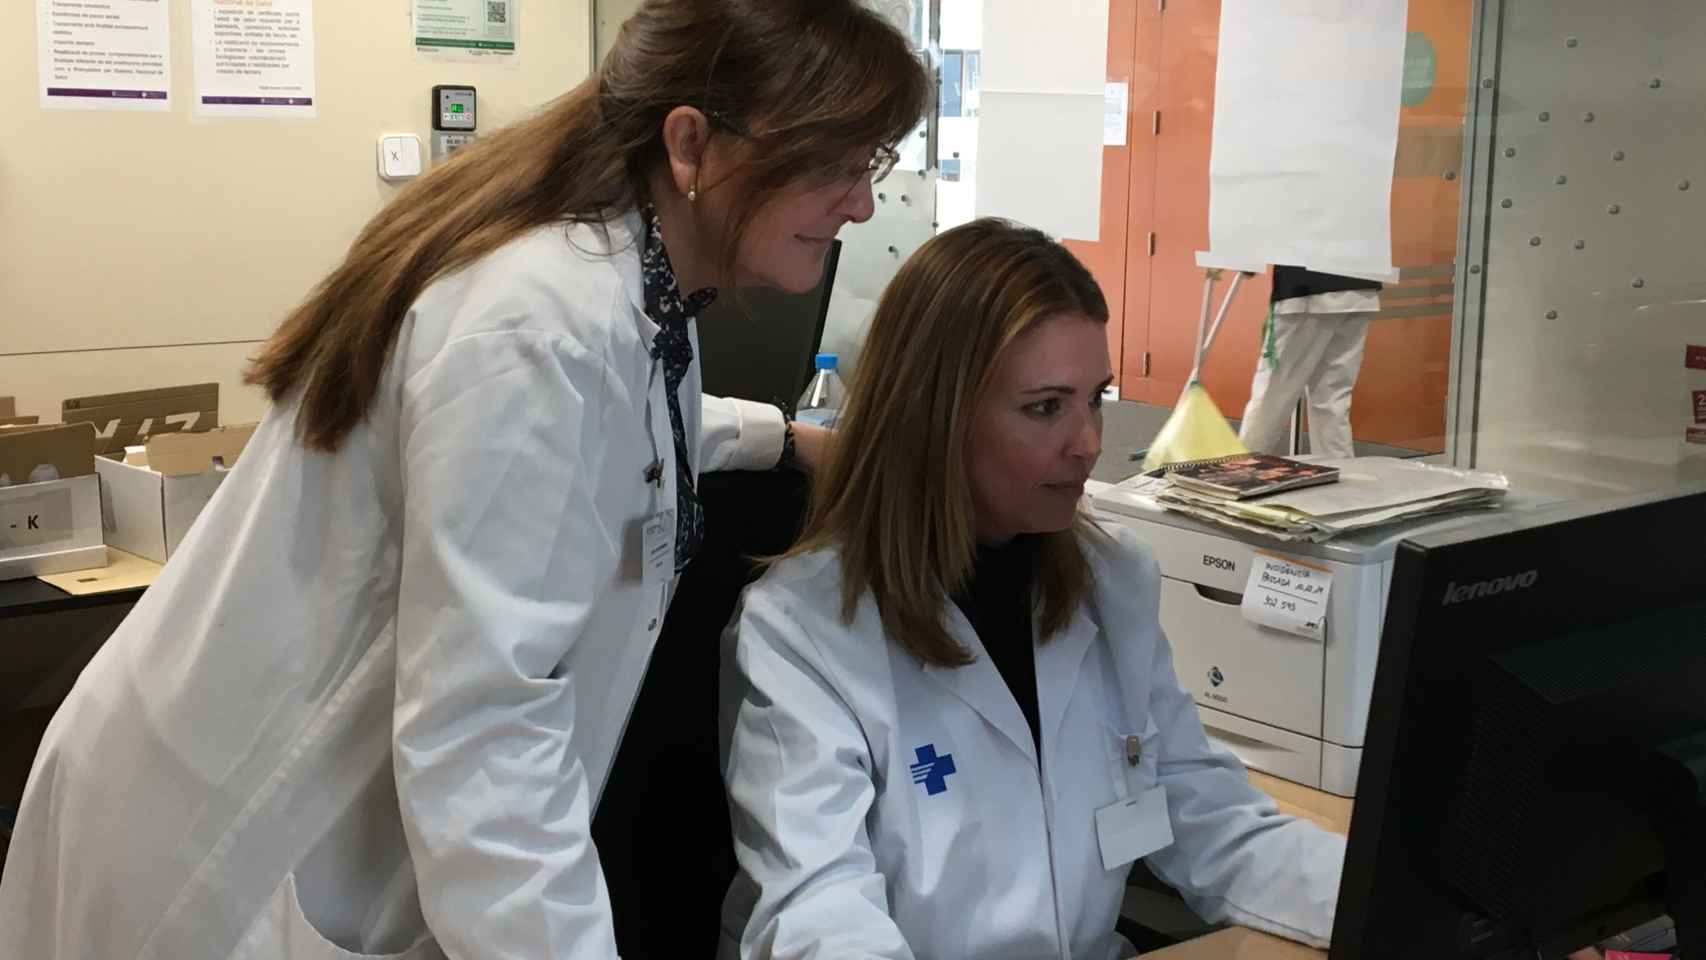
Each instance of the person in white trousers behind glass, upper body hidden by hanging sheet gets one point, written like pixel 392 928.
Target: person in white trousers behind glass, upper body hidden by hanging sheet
pixel 1313 350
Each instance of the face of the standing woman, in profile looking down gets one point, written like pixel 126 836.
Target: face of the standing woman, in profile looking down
pixel 791 234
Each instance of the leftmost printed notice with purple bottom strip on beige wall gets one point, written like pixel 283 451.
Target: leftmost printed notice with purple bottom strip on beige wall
pixel 108 55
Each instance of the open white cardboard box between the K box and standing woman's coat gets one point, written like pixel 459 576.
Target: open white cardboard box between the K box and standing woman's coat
pixel 153 504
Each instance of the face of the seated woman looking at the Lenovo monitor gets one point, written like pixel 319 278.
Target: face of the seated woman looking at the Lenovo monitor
pixel 1038 434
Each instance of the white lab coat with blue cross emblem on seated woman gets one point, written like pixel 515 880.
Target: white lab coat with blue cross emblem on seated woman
pixel 844 855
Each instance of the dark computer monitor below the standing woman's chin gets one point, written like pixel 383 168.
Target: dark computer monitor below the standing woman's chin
pixel 758 344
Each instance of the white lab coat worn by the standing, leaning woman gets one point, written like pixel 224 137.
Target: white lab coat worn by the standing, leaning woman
pixel 446 618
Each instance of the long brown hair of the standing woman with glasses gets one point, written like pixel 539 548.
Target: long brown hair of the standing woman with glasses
pixel 808 83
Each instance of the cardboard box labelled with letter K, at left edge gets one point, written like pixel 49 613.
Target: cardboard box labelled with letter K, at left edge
pixel 50 500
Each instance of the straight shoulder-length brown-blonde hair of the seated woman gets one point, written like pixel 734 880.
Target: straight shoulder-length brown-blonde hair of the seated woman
pixel 895 495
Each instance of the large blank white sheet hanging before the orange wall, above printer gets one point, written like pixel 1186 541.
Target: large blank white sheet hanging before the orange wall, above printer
pixel 1303 159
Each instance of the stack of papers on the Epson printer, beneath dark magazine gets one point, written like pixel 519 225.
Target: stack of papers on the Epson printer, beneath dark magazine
pixel 1372 492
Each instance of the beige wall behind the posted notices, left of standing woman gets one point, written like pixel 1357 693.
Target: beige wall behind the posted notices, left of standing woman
pixel 144 250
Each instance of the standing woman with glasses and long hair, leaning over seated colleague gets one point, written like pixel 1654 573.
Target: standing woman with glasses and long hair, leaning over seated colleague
pixel 369 707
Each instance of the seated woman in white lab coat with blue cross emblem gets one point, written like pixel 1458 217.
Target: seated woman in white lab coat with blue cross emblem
pixel 951 717
